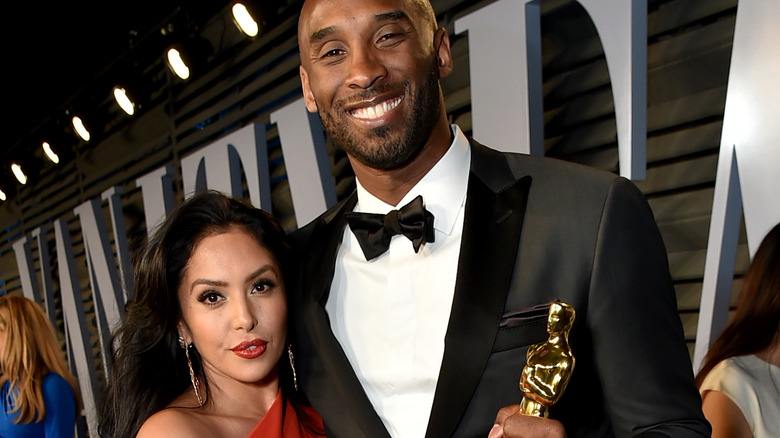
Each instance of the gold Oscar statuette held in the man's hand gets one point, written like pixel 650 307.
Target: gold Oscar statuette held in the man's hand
pixel 548 364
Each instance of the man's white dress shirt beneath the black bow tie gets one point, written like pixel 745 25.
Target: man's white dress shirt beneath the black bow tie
pixel 391 314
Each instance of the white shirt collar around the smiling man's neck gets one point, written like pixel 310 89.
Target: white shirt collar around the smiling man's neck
pixel 443 188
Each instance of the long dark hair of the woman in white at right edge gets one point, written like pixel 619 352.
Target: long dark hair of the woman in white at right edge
pixel 756 321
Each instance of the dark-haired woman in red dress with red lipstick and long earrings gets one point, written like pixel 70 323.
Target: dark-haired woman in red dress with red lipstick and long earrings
pixel 203 350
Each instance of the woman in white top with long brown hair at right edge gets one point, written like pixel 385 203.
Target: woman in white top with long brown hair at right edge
pixel 740 377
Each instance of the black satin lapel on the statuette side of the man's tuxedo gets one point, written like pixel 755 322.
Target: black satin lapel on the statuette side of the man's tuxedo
pixel 493 219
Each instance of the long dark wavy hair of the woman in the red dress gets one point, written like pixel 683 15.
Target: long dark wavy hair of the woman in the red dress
pixel 149 369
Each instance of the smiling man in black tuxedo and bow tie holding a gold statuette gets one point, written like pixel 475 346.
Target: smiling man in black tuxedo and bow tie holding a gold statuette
pixel 429 338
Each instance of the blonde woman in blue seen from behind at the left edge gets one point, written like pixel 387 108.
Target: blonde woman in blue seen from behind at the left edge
pixel 40 397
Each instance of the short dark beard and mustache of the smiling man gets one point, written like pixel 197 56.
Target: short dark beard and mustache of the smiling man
pixel 389 146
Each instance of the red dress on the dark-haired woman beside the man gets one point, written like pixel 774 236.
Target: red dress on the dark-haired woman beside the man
pixel 271 425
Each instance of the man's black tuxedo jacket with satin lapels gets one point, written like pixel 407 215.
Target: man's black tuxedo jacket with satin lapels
pixel 536 230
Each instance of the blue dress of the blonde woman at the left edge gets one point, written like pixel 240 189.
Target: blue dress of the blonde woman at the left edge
pixel 60 419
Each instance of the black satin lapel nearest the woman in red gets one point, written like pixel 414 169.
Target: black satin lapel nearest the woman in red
pixel 330 376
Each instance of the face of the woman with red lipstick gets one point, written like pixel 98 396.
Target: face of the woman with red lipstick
pixel 234 309
